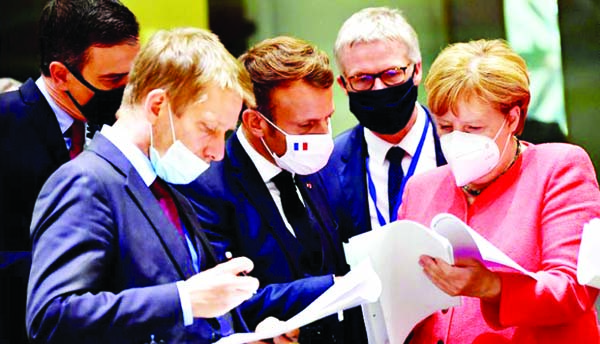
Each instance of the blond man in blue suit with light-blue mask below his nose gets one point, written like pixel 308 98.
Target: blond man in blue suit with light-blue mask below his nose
pixel 118 255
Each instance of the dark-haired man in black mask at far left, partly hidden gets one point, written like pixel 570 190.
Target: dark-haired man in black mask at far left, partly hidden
pixel 87 47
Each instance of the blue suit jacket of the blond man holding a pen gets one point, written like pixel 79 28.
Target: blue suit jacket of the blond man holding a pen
pixel 106 259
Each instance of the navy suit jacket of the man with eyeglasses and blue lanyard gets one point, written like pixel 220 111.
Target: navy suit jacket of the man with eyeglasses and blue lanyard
pixel 345 174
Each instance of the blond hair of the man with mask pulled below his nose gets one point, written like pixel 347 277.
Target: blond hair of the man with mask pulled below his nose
pixel 183 61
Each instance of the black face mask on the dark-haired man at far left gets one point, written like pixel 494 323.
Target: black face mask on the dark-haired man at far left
pixel 102 107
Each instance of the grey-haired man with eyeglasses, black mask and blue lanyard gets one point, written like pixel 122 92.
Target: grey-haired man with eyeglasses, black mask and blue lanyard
pixel 378 55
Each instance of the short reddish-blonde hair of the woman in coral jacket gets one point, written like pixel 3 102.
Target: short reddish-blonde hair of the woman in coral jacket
pixel 487 69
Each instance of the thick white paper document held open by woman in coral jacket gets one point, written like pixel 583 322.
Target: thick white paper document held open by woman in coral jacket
pixel 407 295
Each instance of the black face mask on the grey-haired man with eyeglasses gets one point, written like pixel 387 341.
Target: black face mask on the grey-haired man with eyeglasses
pixel 385 111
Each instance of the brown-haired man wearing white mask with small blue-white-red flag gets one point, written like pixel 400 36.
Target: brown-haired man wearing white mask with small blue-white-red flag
pixel 264 200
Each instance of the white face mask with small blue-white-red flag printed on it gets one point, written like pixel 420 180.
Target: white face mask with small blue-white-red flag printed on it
pixel 304 154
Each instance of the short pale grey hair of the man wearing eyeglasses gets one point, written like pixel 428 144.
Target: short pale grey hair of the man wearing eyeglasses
pixel 377 24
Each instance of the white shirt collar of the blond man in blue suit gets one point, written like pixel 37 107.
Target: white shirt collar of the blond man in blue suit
pixel 136 157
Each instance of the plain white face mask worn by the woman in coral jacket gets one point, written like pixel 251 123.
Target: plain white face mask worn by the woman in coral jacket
pixel 470 156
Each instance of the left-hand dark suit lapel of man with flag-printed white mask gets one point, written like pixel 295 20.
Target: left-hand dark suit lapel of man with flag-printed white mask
pixel 256 192
